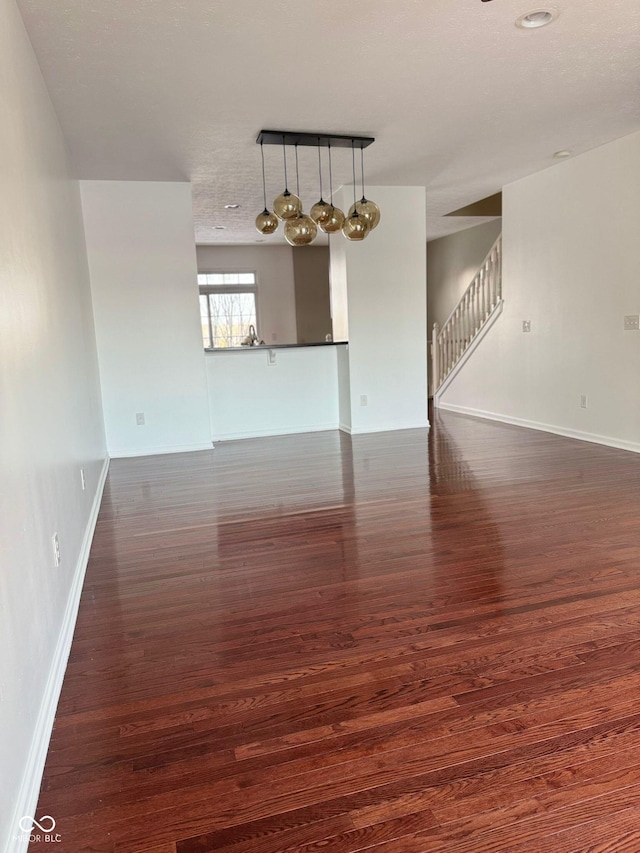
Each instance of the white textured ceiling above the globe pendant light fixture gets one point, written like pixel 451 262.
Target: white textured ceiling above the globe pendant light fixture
pixel 460 100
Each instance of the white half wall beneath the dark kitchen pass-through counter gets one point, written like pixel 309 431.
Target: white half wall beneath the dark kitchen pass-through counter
pixel 249 397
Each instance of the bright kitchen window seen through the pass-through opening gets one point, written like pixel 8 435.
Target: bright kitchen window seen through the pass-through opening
pixel 227 307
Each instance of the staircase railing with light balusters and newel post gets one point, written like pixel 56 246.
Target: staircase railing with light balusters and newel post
pixel 476 311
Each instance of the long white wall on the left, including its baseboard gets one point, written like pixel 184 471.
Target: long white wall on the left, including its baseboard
pixel 51 420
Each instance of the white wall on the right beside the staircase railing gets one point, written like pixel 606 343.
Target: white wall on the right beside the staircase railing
pixel 571 266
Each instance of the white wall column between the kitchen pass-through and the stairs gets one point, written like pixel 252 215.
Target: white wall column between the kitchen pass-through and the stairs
pixel 384 279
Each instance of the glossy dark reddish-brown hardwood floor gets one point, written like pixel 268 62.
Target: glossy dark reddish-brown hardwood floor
pixel 400 643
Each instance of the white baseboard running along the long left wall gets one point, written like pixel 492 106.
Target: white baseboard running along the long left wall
pixel 27 799
